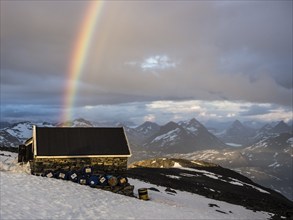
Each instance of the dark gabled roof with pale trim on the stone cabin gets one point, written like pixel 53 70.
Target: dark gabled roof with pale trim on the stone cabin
pixel 80 141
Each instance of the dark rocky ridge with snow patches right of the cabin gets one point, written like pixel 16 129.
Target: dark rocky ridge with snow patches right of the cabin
pixel 212 181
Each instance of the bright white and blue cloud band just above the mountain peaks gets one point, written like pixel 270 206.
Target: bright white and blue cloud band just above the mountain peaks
pixel 160 112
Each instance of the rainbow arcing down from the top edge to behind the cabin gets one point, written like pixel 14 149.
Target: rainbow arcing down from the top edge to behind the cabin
pixel 79 56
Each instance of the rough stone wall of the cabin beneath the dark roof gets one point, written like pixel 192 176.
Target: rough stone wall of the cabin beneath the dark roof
pixel 99 164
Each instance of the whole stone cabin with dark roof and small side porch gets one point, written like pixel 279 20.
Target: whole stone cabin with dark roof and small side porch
pixel 104 149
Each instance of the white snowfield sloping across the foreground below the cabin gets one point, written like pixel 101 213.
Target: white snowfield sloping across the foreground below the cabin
pixel 24 196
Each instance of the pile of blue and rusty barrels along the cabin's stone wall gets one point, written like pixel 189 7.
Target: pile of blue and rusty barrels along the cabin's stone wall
pixel 114 183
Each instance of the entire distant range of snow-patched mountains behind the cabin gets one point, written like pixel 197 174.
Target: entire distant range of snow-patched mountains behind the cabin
pixel 263 154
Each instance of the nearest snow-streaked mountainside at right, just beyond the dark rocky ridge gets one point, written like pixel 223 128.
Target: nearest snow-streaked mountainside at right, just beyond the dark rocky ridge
pixel 268 162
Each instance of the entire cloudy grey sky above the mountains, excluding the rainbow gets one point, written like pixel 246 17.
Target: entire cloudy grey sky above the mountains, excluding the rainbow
pixel 150 60
